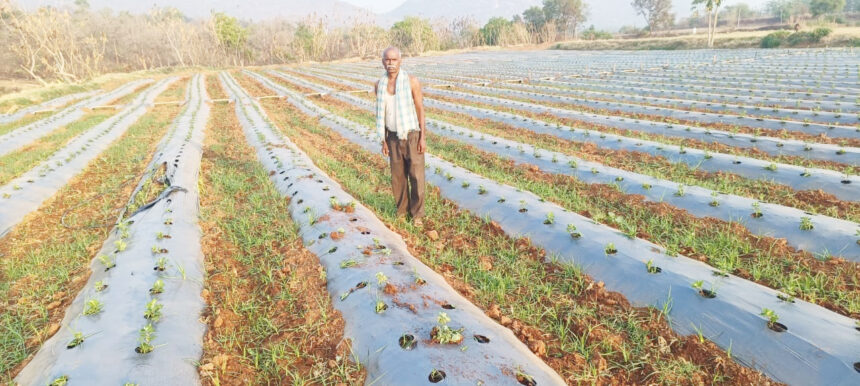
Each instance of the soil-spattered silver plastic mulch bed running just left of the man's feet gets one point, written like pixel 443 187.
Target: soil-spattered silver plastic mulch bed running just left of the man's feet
pixel 375 257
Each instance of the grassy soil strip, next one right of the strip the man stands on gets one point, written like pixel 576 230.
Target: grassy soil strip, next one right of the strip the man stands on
pixel 726 246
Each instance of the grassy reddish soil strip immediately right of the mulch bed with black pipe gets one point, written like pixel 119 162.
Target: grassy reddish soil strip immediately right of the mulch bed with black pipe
pixel 269 313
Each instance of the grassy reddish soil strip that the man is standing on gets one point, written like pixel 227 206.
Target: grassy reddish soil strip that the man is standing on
pixel 584 332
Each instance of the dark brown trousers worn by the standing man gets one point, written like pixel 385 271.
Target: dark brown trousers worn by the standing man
pixel 407 173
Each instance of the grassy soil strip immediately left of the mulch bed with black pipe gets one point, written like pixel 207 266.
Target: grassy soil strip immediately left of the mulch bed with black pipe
pixel 46 256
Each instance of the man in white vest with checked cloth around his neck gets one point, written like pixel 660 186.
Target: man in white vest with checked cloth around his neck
pixel 400 126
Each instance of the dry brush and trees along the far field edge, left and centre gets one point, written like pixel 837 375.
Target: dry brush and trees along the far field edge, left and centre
pixel 76 43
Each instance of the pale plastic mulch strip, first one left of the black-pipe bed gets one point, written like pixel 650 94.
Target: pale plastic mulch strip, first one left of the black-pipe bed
pixel 27 192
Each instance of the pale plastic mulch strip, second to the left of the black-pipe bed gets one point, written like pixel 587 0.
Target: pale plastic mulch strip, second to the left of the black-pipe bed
pixel 23 136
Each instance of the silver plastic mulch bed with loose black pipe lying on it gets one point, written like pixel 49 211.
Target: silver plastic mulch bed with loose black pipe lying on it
pixel 108 353
